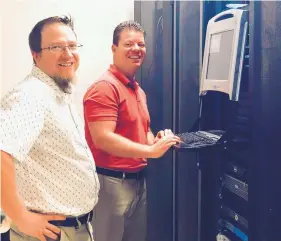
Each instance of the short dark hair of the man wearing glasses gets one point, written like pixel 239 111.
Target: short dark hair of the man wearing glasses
pixel 35 36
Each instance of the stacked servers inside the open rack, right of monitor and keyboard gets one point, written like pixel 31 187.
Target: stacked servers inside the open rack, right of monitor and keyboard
pixel 233 209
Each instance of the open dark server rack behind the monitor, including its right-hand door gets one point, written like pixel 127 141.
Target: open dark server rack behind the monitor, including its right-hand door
pixel 245 203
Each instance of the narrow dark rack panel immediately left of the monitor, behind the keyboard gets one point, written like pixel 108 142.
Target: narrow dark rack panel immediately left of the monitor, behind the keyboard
pixel 187 51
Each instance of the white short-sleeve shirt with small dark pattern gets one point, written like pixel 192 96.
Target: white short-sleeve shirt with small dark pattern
pixel 40 128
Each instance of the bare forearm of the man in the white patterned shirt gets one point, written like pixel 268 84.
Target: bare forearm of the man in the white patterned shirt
pixel 10 201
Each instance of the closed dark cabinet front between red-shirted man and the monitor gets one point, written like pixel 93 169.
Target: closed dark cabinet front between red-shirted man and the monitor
pixel 170 78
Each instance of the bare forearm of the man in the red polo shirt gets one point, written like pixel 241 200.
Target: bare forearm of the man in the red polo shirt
pixel 120 146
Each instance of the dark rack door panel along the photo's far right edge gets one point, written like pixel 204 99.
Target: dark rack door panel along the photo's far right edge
pixel 265 87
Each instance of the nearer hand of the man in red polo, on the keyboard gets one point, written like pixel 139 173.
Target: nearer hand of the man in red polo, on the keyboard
pixel 159 148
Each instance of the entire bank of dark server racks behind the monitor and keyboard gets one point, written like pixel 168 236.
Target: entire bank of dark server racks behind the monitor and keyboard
pixel 235 191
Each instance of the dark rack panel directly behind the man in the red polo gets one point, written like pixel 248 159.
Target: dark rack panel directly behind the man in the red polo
pixel 156 76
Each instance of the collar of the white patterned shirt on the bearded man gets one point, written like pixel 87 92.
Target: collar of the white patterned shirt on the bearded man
pixel 39 74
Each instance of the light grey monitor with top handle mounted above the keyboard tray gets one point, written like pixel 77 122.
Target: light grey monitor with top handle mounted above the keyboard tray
pixel 224 53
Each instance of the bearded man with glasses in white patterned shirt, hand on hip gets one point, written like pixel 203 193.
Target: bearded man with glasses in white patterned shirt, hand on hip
pixel 49 184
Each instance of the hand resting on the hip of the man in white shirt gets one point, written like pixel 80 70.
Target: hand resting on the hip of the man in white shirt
pixel 38 226
